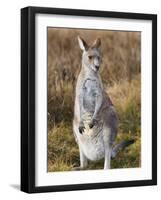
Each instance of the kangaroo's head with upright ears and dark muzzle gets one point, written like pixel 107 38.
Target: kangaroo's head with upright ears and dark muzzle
pixel 91 57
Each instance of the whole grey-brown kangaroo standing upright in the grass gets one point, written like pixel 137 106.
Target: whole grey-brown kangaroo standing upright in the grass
pixel 95 121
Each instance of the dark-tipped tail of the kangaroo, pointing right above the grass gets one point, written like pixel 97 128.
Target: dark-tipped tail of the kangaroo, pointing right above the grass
pixel 121 146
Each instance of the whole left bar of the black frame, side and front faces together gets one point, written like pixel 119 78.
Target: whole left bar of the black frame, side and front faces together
pixel 27 100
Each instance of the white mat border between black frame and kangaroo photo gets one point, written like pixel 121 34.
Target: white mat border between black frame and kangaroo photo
pixel 94 176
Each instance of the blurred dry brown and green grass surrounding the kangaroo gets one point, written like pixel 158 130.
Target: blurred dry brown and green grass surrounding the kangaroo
pixel 121 76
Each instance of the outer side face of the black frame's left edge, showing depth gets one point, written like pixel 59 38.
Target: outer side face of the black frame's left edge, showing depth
pixel 24 100
